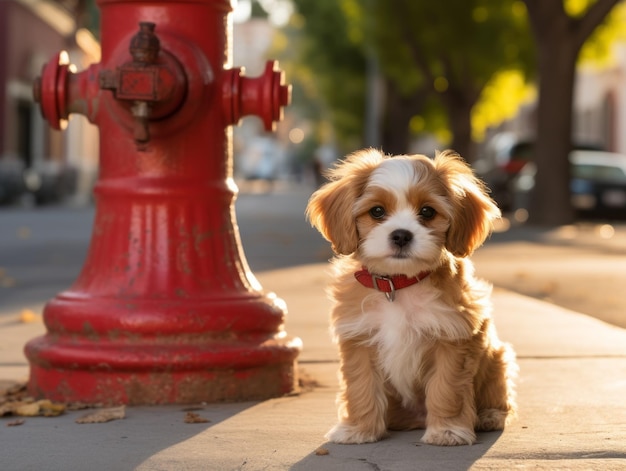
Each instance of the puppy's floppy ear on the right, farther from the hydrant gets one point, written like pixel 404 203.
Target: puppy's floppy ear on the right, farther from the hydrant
pixel 473 210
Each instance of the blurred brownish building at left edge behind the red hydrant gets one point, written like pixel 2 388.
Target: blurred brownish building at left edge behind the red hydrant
pixel 35 160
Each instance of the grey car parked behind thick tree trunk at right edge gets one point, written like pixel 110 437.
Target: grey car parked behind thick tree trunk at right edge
pixel 598 184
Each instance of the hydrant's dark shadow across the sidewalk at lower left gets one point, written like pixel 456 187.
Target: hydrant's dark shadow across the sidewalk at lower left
pixel 146 437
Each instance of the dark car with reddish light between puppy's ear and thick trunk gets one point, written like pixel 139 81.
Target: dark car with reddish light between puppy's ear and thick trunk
pixel 505 157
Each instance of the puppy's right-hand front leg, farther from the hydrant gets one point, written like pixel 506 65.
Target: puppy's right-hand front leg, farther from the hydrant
pixel 451 410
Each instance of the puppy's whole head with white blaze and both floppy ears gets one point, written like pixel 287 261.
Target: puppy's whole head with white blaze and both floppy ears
pixel 397 214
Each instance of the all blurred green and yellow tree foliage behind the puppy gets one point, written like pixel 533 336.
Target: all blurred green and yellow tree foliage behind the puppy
pixel 480 51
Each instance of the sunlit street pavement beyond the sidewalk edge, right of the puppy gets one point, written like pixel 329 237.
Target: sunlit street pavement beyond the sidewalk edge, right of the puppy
pixel 580 267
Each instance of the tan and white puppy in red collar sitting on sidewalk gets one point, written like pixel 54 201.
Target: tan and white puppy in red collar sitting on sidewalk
pixel 418 348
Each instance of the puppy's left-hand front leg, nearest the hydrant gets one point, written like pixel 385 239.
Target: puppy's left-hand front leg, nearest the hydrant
pixel 362 402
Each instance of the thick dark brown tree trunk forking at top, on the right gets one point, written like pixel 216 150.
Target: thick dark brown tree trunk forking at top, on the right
pixel 558 39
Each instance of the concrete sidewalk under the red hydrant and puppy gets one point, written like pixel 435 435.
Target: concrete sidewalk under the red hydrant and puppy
pixel 571 395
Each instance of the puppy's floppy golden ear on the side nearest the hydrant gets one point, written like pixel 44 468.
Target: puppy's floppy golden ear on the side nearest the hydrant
pixel 330 207
